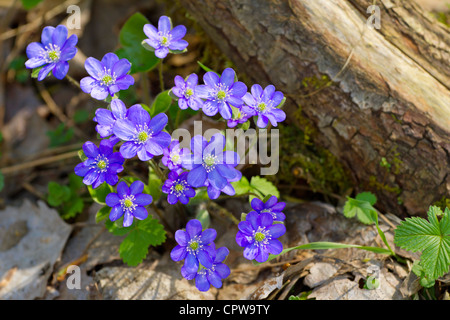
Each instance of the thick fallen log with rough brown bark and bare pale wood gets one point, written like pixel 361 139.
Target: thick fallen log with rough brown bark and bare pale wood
pixel 389 96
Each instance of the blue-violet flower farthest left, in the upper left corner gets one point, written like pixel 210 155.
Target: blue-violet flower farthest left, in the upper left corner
pixel 52 53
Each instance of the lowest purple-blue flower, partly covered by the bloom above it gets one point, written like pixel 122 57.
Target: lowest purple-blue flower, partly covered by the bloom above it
pixel 205 277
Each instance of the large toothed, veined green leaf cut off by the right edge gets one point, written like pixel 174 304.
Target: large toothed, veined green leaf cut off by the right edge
pixel 431 237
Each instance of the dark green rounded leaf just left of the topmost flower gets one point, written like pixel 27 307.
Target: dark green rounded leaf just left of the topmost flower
pixel 130 38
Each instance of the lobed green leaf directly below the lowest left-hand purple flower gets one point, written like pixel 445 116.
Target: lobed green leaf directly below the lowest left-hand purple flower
pixel 134 247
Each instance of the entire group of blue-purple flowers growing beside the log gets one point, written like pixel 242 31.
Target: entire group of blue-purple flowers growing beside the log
pixel 206 164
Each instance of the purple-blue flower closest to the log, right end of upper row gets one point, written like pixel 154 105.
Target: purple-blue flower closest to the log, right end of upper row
pixel 265 105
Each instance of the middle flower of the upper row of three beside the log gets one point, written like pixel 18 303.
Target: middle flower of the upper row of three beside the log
pixel 220 93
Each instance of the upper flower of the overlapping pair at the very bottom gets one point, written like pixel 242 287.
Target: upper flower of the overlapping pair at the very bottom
pixel 194 246
